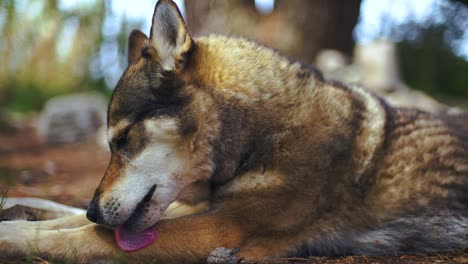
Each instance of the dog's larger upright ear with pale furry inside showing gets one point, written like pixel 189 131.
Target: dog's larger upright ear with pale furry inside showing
pixel 169 35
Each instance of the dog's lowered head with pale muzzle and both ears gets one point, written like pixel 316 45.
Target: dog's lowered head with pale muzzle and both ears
pixel 158 141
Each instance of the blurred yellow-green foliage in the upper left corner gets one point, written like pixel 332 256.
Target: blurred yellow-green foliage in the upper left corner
pixel 34 65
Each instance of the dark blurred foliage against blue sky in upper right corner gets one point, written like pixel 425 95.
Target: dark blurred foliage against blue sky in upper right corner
pixel 427 57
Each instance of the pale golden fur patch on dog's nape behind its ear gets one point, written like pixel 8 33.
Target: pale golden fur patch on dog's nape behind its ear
pixel 268 80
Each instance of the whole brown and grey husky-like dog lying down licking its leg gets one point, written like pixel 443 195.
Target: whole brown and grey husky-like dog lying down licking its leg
pixel 285 162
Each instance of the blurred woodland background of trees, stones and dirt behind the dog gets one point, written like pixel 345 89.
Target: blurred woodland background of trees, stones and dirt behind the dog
pixel 414 52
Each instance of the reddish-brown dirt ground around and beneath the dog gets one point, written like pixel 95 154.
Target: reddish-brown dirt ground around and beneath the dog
pixel 69 174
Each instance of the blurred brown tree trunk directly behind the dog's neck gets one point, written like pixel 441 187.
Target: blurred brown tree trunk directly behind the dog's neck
pixel 295 27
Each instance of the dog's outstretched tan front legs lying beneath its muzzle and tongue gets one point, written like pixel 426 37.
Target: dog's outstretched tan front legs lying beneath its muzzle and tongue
pixel 182 240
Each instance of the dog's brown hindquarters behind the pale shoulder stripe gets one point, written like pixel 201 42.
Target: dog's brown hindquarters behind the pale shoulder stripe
pixel 419 193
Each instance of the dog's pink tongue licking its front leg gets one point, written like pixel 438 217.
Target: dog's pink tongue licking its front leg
pixel 131 241
